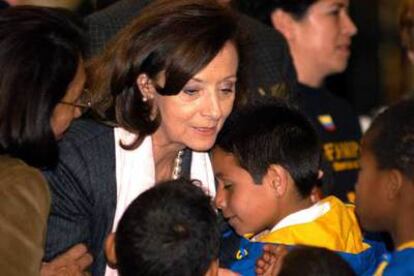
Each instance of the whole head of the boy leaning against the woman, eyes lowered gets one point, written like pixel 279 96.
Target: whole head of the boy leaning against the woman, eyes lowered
pixel 266 161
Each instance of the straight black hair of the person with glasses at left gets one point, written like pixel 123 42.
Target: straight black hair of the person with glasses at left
pixel 40 51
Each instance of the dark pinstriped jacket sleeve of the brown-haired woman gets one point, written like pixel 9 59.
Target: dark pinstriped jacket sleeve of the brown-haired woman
pixel 69 221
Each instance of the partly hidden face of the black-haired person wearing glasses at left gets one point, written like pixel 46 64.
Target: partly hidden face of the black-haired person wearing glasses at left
pixel 66 110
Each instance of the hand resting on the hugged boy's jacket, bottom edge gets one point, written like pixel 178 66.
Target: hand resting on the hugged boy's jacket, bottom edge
pixel 271 261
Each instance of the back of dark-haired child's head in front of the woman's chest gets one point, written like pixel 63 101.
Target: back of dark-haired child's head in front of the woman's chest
pixel 171 229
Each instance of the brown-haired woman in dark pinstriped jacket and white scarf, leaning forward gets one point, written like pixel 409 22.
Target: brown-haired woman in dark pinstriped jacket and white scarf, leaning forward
pixel 166 83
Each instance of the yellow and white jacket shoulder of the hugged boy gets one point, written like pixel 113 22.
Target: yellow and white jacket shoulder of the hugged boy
pixel 329 223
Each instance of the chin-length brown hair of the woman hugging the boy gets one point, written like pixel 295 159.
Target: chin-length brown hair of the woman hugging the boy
pixel 178 38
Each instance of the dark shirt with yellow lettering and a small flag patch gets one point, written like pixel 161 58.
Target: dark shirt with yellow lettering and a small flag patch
pixel 340 133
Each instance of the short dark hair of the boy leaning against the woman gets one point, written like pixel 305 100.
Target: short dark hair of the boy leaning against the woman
pixel 267 132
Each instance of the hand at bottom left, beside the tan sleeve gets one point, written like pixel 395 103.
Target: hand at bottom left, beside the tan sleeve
pixel 73 262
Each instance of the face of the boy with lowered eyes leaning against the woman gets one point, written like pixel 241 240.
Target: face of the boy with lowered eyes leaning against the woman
pixel 250 208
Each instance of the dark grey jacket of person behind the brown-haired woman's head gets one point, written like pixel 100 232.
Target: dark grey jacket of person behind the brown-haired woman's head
pixel 269 67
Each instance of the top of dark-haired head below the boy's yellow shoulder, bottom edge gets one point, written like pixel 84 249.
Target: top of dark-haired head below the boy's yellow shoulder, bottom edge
pixel 314 261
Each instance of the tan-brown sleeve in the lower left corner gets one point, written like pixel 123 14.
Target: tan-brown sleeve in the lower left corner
pixel 24 207
